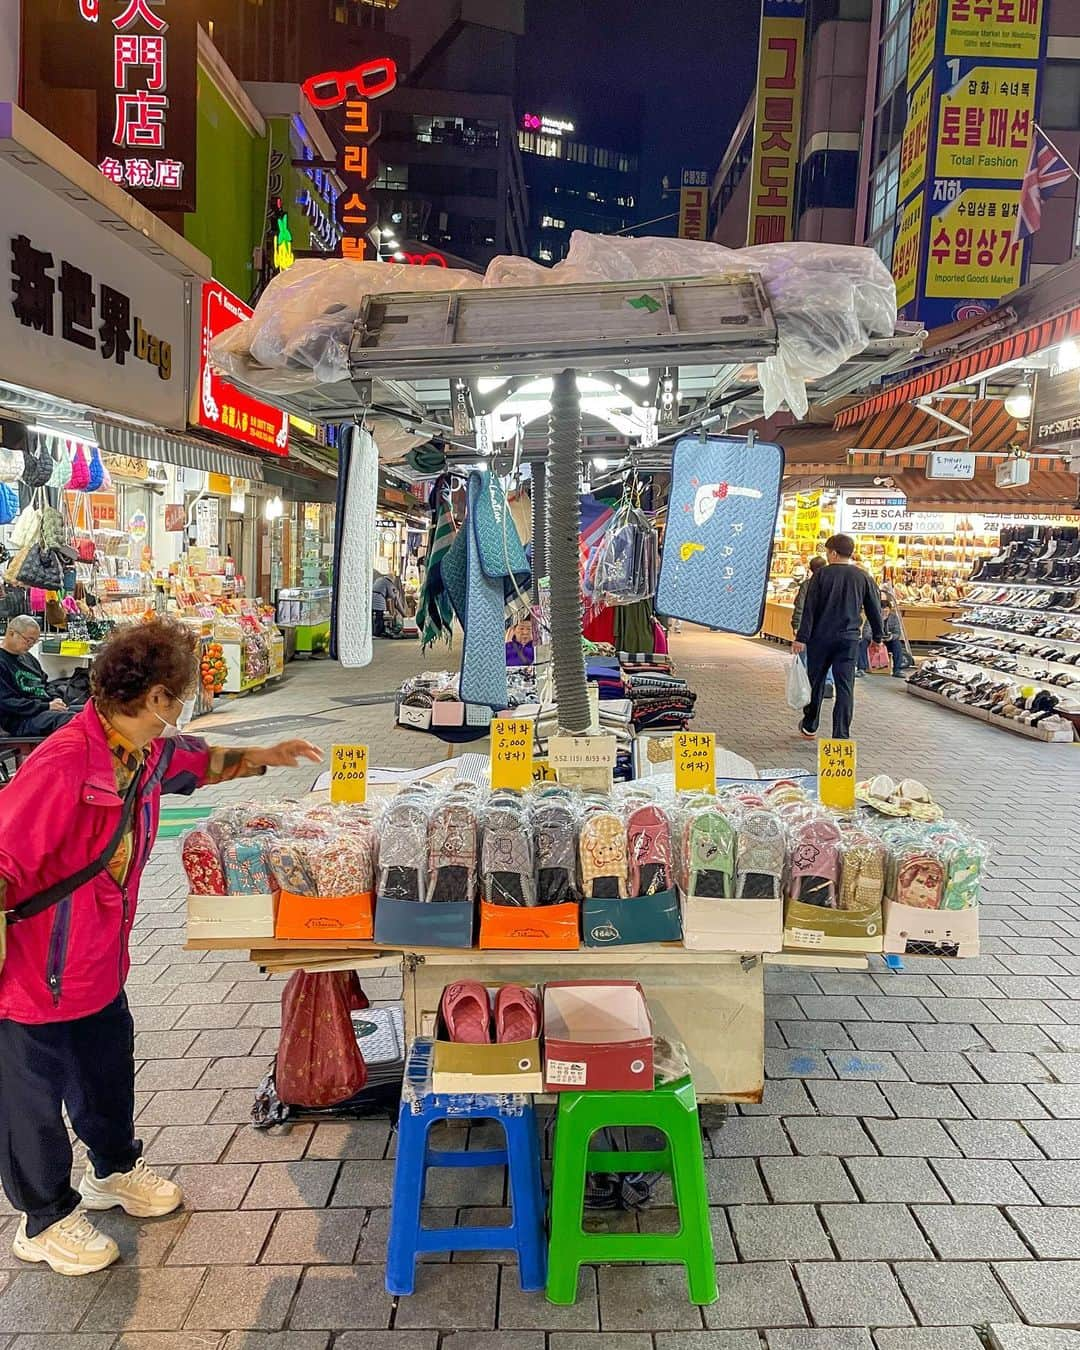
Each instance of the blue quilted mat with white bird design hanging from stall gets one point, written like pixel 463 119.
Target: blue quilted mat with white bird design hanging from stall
pixel 719 543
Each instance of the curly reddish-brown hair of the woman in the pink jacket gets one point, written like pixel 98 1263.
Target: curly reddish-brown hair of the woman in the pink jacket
pixel 140 657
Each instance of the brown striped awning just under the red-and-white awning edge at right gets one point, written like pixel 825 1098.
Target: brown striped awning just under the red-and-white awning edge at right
pixel 916 429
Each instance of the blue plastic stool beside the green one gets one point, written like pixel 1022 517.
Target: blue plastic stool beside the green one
pixel 522 1158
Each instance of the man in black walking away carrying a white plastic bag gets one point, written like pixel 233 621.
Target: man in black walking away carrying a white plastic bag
pixel 830 632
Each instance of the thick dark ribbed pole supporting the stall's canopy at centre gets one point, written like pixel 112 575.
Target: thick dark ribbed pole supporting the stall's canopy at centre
pixel 565 516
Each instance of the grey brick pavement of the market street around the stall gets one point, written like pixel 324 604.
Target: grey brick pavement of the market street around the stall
pixel 909 1183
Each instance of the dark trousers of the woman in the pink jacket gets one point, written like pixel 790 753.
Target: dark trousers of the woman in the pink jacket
pixel 87 1066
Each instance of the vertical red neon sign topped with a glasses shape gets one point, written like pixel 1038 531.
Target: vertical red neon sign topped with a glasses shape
pixel 356 90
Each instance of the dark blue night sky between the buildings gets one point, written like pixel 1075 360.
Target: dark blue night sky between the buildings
pixel 684 67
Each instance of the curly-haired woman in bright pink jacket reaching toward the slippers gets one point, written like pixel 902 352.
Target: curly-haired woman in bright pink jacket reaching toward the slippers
pixel 76 828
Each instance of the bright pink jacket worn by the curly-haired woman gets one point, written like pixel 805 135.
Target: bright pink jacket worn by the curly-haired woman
pixel 59 815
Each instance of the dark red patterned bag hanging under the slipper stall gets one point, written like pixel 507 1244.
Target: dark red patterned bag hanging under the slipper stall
pixel 319 1062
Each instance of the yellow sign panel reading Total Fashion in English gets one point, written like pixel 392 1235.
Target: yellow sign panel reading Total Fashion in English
pixel 986 125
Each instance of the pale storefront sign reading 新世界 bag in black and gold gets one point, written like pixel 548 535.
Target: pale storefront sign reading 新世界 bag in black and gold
pixel 90 318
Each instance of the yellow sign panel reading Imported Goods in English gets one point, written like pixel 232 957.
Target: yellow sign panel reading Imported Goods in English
pixel 974 250
